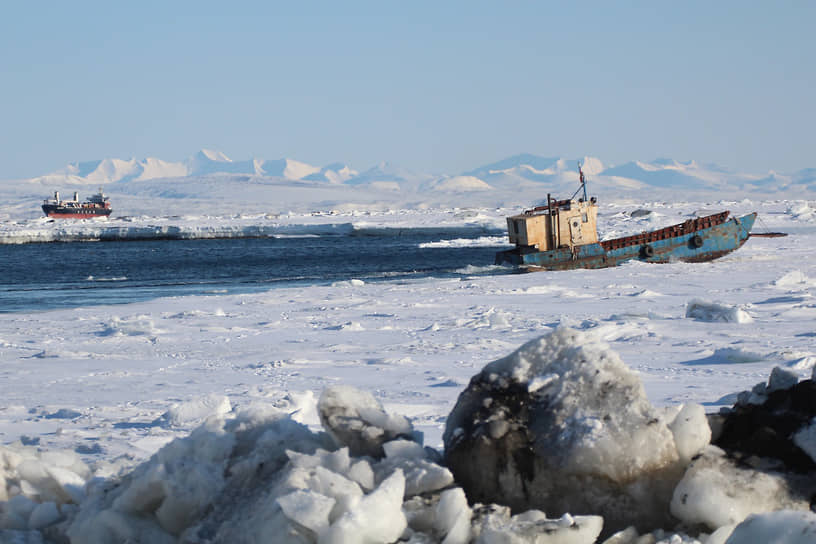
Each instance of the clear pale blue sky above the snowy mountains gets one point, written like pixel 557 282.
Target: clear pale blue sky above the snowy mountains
pixel 431 86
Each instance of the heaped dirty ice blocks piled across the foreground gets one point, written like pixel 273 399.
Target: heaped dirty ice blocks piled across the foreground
pixel 555 443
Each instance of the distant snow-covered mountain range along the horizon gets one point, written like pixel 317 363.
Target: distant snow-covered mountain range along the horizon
pixel 517 172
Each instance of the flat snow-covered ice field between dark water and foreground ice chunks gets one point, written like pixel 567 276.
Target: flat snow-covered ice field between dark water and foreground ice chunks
pixel 116 383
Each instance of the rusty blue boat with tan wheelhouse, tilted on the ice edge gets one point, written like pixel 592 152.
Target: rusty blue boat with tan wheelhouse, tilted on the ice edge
pixel 563 235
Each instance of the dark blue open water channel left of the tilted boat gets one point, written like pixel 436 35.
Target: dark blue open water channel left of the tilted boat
pixel 65 275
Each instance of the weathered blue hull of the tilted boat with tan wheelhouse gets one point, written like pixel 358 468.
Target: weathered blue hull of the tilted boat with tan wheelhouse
pixel 696 240
